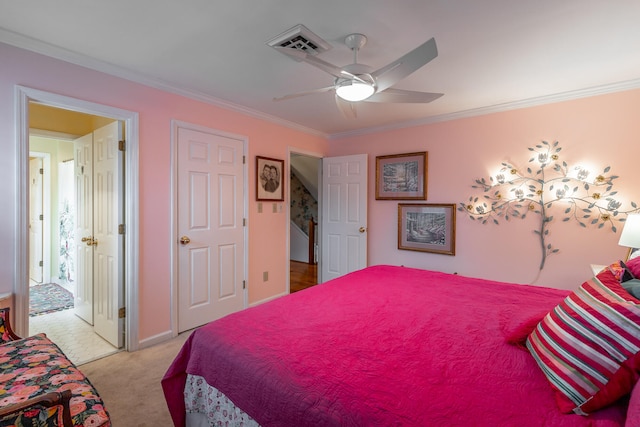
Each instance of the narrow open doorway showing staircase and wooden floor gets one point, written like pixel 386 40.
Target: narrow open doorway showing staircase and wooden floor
pixel 304 211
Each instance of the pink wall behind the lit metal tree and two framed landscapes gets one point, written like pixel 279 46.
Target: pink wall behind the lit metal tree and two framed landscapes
pixel 601 130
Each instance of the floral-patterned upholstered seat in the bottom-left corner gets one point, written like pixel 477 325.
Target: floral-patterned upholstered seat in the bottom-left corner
pixel 35 365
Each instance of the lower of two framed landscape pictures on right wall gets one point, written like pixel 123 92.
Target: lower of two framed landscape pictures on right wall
pixel 427 228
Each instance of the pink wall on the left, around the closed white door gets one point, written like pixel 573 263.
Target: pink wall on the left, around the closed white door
pixel 156 110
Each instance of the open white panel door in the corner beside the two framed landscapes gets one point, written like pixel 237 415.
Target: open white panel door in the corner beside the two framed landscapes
pixel 344 215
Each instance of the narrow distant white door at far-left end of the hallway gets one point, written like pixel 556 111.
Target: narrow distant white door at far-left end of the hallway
pixel 35 219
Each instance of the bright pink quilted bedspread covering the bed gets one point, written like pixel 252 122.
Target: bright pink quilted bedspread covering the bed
pixel 383 346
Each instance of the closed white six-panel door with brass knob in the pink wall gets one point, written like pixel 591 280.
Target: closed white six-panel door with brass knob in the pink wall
pixel 210 197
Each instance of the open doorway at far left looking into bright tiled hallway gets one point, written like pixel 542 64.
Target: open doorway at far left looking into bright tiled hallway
pixel 62 299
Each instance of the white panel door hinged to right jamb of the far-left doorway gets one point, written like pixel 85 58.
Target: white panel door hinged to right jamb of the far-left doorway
pixel 108 243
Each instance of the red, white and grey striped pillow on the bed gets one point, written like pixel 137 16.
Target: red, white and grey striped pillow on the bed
pixel 588 345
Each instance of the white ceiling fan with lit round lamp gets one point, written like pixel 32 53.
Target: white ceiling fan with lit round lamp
pixel 359 82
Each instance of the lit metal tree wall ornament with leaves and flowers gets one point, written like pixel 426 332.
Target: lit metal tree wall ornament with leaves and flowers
pixel 513 194
